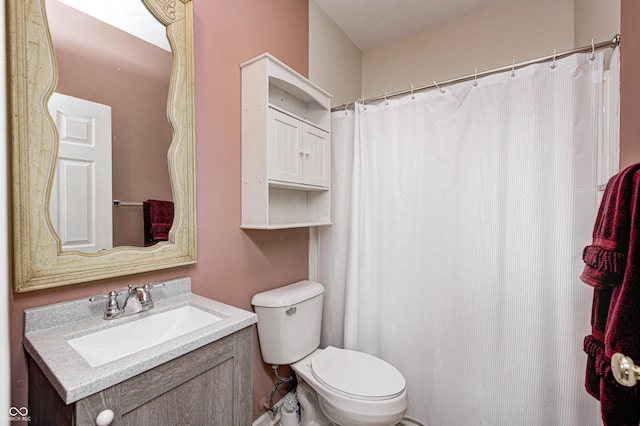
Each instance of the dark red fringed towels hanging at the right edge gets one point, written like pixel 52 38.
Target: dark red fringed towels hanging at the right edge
pixel 613 270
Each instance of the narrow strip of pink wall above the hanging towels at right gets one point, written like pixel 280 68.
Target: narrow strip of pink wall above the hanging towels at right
pixel 630 83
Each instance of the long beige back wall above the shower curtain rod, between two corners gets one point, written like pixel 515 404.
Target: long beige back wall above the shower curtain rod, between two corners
pixel 490 38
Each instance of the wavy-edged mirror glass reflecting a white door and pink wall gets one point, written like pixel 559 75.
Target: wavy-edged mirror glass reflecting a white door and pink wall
pixel 110 111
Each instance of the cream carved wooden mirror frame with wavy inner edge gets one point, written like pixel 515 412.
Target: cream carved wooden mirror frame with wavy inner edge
pixel 38 260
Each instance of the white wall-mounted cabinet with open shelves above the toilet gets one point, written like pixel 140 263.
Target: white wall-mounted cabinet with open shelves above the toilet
pixel 286 148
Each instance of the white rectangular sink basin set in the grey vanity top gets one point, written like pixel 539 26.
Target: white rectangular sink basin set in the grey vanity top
pixel 113 343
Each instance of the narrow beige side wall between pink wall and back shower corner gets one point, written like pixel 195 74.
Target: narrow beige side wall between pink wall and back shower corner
pixel 335 63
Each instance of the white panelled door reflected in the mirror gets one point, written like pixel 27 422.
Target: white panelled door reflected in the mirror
pixel 81 197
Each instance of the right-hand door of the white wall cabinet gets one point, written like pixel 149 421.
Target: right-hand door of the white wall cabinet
pixel 316 154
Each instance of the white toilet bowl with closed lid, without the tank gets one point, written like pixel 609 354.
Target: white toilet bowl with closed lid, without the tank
pixel 353 388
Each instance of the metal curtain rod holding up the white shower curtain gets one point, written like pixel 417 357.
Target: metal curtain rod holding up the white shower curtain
pixel 614 42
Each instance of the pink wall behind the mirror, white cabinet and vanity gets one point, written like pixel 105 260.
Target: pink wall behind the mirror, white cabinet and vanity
pixel 233 264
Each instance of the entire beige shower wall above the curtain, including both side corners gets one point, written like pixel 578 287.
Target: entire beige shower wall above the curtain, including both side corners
pixel 511 30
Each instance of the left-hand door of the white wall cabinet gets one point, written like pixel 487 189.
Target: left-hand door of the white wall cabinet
pixel 285 153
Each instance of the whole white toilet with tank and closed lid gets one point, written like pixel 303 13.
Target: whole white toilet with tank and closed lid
pixel 335 386
